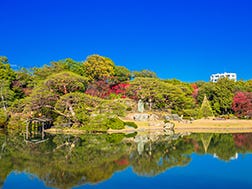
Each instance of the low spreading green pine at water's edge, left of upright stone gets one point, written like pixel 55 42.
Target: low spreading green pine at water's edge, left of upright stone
pixel 81 109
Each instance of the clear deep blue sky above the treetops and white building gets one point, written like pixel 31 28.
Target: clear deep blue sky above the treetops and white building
pixel 183 39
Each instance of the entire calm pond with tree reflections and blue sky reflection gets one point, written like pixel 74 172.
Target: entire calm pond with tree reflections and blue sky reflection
pixel 137 160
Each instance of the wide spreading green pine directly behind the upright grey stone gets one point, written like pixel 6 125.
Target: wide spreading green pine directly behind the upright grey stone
pixel 162 94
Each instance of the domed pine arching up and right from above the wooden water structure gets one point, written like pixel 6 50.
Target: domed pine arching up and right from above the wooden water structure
pixel 44 97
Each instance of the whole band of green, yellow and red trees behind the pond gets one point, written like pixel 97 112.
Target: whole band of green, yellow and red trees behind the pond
pixel 92 94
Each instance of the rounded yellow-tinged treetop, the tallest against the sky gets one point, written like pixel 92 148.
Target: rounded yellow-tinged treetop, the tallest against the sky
pixel 99 68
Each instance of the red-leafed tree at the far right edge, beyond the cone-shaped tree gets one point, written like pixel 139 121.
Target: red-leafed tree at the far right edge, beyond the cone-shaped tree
pixel 242 104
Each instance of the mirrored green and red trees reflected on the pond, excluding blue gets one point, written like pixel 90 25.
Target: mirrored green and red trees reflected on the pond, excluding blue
pixel 65 161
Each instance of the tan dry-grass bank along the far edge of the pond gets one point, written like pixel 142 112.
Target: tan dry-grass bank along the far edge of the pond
pixel 197 126
